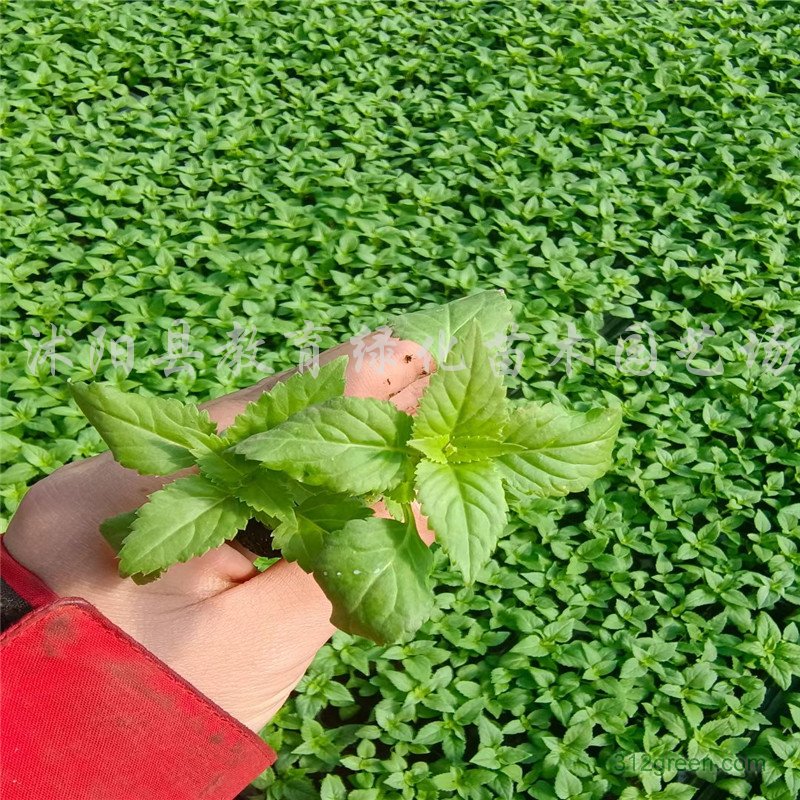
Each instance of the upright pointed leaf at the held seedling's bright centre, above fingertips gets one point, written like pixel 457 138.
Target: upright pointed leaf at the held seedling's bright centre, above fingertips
pixel 470 401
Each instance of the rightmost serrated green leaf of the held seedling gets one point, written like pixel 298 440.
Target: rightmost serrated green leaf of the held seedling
pixel 564 451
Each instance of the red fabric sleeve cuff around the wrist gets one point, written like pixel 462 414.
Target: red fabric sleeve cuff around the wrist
pixel 87 712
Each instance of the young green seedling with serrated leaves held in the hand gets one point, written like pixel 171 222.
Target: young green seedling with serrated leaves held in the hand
pixel 307 462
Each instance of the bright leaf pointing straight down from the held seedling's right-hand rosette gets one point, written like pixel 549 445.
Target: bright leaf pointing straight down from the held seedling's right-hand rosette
pixel 466 507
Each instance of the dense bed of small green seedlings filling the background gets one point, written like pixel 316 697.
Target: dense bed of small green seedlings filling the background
pixel 274 163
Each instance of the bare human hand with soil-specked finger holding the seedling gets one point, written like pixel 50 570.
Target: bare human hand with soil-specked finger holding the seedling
pixel 242 638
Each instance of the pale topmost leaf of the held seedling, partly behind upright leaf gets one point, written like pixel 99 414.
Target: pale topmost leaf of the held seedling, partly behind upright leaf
pixel 434 328
